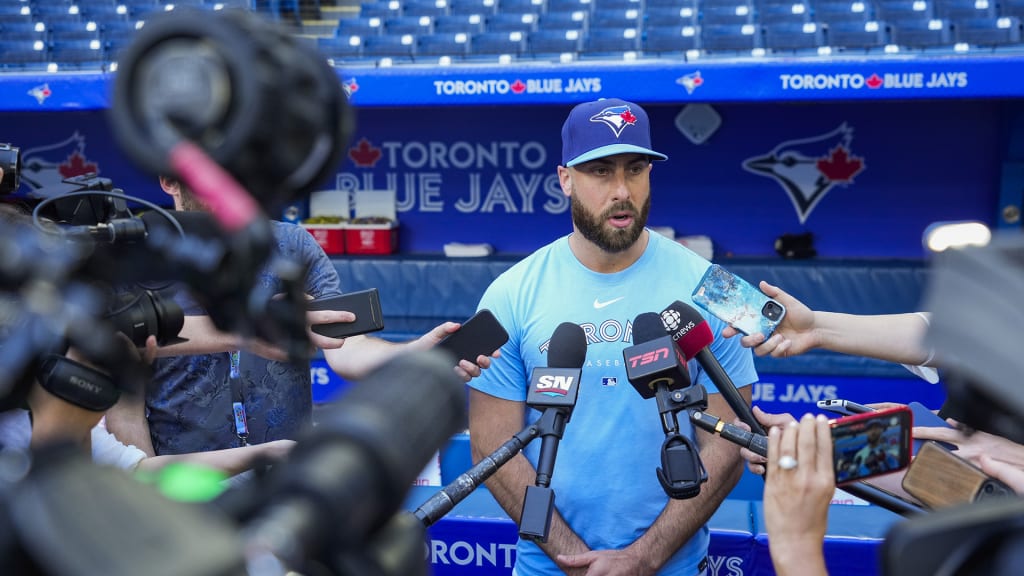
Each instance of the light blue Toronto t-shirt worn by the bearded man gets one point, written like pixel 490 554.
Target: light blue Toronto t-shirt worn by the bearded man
pixel 605 477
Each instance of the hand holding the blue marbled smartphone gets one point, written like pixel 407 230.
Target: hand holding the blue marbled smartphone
pixel 795 336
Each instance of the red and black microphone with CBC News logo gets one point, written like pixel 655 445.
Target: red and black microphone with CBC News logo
pixel 694 336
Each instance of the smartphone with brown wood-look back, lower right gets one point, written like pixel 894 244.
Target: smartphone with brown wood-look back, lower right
pixel 941 479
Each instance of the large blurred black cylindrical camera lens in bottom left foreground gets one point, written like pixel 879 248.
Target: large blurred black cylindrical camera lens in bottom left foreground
pixel 348 477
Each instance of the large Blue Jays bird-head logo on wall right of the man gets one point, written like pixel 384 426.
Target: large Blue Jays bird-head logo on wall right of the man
pixel 808 169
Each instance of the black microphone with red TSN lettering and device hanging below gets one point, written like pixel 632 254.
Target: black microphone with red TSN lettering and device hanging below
pixel 656 368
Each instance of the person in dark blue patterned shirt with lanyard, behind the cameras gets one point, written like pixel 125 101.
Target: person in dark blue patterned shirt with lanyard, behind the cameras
pixel 219 393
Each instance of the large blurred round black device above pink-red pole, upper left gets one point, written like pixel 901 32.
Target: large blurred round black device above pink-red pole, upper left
pixel 250 96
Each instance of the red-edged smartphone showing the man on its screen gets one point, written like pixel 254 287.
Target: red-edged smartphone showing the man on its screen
pixel 872 444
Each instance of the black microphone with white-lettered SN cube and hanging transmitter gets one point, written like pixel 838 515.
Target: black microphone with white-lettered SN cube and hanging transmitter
pixel 553 390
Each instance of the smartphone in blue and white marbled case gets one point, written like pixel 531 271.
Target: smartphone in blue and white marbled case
pixel 738 303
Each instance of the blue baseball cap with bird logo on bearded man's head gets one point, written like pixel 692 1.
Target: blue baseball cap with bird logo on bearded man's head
pixel 606 128
